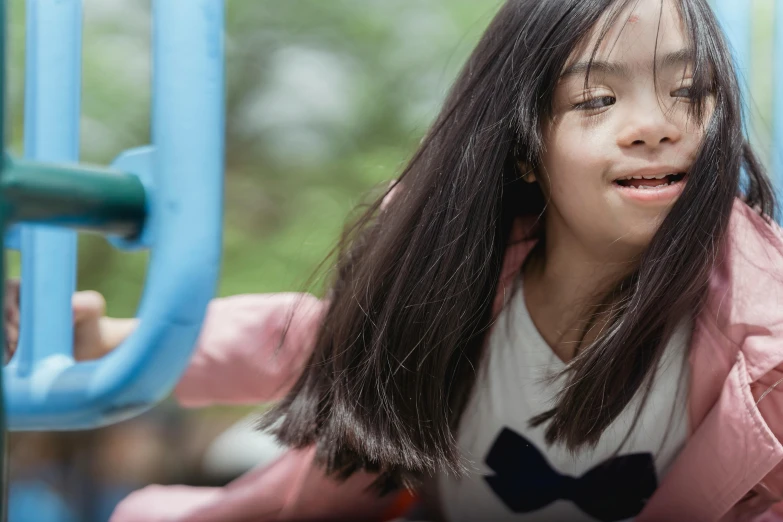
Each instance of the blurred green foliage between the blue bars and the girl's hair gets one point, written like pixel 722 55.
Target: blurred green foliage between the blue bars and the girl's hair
pixel 324 100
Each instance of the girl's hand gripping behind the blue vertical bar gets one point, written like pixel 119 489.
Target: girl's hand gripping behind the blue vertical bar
pixel 95 335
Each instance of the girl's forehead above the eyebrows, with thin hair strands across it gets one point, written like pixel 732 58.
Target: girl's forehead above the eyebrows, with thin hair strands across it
pixel 641 30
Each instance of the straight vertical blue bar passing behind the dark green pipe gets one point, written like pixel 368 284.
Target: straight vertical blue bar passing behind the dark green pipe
pixel 51 116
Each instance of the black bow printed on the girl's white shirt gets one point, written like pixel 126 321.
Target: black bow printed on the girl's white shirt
pixel 614 490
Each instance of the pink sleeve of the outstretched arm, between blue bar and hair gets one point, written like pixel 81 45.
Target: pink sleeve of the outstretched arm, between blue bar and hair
pixel 242 355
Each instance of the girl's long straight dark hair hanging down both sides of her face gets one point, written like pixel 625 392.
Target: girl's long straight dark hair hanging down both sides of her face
pixel 396 358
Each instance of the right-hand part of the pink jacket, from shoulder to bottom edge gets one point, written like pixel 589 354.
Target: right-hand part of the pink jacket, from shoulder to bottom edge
pixel 738 340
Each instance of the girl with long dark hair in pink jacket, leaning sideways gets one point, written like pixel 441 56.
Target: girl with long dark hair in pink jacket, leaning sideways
pixel 569 309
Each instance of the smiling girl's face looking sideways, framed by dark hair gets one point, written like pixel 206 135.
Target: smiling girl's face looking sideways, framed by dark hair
pixel 632 121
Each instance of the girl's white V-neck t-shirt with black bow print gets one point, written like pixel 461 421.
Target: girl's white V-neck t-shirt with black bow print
pixel 516 476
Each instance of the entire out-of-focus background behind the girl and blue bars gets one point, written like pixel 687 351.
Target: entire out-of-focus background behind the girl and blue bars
pixel 325 101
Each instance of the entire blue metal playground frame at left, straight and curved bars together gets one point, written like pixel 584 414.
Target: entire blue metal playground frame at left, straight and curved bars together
pixel 45 388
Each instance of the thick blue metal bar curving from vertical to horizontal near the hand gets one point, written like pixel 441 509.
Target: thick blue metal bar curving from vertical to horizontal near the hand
pixel 183 227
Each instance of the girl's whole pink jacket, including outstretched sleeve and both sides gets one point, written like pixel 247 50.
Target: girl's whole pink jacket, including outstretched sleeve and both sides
pixel 735 408
